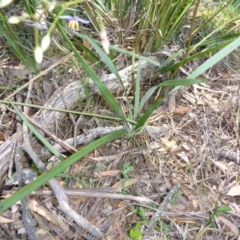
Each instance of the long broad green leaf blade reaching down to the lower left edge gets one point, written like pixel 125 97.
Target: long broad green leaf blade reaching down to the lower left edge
pixel 45 177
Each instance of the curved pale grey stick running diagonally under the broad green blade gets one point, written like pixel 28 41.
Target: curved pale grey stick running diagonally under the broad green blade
pixel 62 197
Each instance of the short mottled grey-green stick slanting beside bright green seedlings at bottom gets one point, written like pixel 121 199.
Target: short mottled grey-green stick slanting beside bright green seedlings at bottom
pixel 163 206
